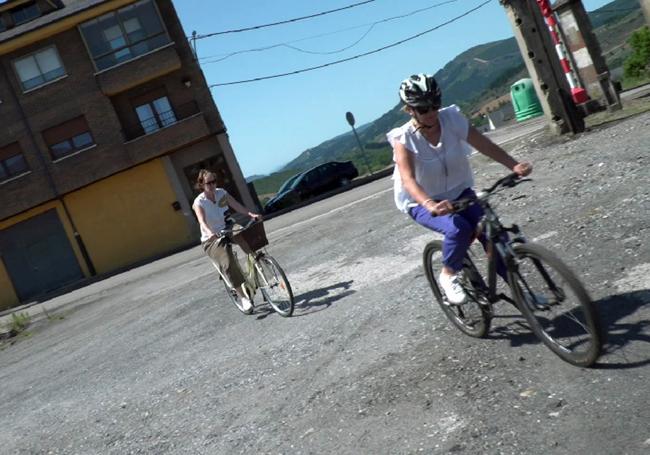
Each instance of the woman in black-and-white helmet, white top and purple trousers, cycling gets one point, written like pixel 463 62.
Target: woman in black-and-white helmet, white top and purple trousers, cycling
pixel 431 152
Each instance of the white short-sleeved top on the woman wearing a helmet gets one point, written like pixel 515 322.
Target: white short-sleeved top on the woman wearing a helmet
pixel 443 171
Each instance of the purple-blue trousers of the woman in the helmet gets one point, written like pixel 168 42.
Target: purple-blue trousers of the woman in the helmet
pixel 458 229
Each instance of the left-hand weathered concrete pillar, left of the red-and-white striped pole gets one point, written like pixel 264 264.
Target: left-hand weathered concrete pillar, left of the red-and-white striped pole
pixel 543 65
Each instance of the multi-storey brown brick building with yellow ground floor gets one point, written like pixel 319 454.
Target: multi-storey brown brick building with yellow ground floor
pixel 106 119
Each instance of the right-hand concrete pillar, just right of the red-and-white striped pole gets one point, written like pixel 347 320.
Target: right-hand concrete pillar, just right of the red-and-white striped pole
pixel 586 55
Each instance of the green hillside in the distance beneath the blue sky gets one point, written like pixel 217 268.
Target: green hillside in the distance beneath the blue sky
pixel 476 76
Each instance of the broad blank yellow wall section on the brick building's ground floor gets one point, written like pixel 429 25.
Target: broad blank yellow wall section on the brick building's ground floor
pixel 128 217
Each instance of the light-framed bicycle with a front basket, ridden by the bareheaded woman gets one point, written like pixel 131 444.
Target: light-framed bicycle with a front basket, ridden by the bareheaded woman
pixel 262 271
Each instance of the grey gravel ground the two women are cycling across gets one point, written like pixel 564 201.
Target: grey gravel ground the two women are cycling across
pixel 154 361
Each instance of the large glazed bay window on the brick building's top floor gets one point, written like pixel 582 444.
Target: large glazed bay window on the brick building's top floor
pixel 124 34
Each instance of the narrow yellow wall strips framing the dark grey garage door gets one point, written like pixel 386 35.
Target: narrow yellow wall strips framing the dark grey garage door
pixel 8 297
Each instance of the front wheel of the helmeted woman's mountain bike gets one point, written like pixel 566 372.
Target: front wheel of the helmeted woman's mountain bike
pixel 541 283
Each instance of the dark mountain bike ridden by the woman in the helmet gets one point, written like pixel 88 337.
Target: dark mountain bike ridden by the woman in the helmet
pixel 548 294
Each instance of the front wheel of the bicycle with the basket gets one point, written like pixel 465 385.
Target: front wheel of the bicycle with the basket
pixel 274 285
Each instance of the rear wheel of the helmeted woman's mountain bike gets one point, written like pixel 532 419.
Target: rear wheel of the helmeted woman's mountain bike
pixel 472 317
